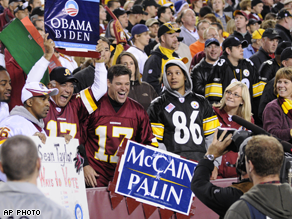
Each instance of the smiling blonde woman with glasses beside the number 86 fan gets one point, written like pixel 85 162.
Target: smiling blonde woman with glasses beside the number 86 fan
pixel 235 101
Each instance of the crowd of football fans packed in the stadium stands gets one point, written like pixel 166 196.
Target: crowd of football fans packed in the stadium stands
pixel 186 69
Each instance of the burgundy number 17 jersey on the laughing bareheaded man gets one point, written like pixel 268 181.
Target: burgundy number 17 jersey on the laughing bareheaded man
pixel 106 130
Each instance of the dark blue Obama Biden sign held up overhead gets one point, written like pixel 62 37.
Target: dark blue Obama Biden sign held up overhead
pixel 73 24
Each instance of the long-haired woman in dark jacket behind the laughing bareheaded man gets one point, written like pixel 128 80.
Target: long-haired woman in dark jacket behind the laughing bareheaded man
pixel 140 91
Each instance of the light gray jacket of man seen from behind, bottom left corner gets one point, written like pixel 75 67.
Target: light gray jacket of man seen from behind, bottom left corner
pixel 24 195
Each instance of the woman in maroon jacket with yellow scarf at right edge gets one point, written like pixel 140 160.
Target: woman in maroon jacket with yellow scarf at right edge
pixel 277 116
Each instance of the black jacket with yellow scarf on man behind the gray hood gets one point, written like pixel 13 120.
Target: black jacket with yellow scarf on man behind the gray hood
pixel 153 68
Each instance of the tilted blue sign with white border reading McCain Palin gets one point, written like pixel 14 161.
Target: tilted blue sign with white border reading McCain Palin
pixel 156 177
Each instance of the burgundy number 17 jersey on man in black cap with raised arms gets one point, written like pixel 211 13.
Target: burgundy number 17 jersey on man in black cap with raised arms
pixel 65 120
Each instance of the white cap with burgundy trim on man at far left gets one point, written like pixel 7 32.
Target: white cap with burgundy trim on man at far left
pixel 36 89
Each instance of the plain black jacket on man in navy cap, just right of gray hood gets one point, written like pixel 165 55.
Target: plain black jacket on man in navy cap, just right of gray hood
pixel 199 75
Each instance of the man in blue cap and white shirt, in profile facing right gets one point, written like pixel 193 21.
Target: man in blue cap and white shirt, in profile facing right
pixel 140 37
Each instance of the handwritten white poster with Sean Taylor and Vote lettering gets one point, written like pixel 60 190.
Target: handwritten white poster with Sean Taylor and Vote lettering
pixel 58 179
